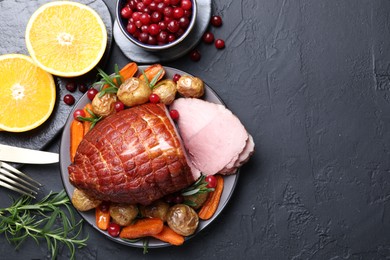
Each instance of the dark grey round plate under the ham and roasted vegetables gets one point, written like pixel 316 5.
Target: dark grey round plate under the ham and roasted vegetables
pixel 89 216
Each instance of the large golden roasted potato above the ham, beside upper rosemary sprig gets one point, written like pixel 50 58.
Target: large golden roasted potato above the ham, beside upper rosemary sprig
pixel 134 92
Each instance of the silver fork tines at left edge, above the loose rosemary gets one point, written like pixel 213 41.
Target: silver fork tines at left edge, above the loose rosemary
pixel 16 180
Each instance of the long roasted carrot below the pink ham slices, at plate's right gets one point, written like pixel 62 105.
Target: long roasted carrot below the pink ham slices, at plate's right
pixel 210 206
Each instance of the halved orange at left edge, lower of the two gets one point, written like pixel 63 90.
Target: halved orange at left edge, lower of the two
pixel 27 93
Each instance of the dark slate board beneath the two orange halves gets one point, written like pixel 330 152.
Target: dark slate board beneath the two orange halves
pixel 12 40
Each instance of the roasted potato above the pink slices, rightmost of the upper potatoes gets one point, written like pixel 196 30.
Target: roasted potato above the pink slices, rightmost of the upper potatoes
pixel 190 87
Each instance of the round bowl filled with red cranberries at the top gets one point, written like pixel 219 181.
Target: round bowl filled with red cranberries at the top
pixel 156 24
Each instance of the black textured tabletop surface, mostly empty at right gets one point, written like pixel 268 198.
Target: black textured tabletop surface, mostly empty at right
pixel 310 80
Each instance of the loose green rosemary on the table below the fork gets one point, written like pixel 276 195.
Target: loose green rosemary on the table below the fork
pixel 51 219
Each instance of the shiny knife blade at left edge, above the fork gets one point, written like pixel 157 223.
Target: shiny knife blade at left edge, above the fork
pixel 23 155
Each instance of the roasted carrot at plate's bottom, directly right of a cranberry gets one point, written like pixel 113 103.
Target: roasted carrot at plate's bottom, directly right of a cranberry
pixel 142 228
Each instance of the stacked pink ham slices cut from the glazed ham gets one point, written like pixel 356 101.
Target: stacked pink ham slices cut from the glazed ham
pixel 215 139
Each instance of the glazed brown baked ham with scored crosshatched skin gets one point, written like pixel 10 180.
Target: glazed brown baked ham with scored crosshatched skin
pixel 133 156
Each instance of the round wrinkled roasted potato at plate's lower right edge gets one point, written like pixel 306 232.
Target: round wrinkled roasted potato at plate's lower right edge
pixel 182 219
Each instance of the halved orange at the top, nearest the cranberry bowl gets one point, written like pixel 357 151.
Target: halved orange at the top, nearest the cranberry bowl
pixel 66 38
